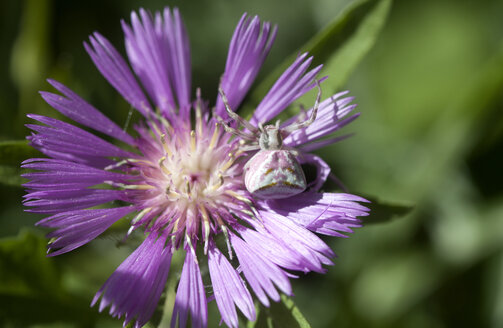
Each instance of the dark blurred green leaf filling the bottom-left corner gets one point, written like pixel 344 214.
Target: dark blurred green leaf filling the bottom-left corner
pixel 31 285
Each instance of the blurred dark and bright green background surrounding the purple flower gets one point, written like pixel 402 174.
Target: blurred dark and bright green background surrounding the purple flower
pixel 430 136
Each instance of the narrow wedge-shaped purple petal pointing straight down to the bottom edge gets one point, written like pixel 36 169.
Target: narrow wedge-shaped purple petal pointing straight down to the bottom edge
pixel 190 296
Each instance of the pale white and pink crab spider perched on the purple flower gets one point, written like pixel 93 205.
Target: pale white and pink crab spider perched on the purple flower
pixel 274 171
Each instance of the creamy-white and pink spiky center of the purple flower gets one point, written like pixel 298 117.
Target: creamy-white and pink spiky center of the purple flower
pixel 188 177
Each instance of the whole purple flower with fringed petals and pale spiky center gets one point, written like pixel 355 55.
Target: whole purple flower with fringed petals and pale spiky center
pixel 183 179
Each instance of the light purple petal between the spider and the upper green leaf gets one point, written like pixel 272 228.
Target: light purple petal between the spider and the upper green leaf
pixel 291 85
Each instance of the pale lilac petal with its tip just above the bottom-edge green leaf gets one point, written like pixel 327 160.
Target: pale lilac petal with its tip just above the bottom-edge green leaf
pixel 260 272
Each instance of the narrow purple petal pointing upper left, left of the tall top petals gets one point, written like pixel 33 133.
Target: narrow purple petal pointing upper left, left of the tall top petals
pixel 115 69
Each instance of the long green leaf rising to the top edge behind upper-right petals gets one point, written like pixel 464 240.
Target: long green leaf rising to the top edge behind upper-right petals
pixel 340 46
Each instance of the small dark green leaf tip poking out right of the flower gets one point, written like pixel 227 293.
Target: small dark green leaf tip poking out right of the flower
pixel 381 211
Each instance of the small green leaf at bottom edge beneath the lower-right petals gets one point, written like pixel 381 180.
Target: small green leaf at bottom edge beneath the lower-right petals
pixel 284 314
